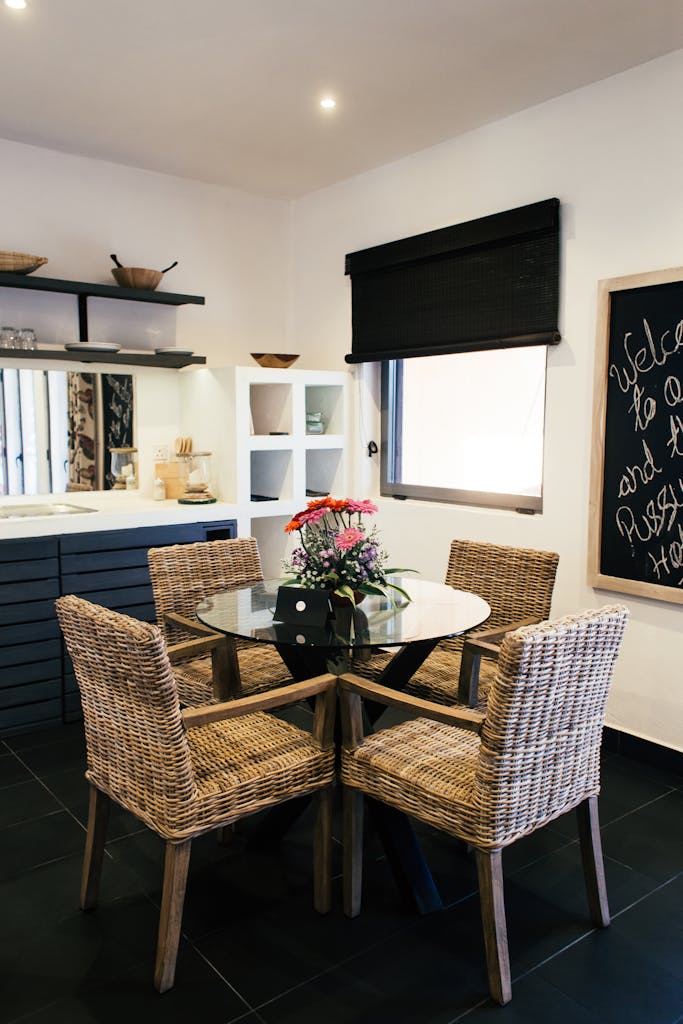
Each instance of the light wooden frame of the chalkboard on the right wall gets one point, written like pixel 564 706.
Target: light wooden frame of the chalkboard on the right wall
pixel 596 578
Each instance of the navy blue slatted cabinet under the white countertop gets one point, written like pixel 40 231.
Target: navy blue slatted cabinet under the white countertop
pixel 37 684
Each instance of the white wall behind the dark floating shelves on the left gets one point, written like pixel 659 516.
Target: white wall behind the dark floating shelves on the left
pixel 231 247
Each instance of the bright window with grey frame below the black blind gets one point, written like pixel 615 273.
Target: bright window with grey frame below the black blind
pixel 465 429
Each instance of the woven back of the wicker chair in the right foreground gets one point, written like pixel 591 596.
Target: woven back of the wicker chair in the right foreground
pixel 540 753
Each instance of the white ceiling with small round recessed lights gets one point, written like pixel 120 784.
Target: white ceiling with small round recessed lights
pixel 228 92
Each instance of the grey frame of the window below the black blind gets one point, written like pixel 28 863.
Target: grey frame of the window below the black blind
pixel 392 430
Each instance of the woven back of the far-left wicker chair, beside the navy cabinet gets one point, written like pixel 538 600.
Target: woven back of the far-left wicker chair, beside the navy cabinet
pixel 183 575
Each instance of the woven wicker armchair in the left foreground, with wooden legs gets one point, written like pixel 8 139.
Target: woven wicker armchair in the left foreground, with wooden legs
pixel 187 774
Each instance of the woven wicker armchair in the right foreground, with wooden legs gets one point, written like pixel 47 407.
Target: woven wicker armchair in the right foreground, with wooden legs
pixel 492 780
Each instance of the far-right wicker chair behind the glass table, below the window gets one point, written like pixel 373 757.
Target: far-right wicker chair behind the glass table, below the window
pixel 518 583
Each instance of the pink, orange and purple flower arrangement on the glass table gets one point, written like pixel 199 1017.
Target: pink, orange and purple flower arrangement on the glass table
pixel 338 553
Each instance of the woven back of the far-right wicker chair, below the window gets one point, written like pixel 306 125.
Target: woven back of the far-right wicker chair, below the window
pixel 518 583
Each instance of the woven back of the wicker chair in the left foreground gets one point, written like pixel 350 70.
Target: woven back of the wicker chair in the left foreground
pixel 138 750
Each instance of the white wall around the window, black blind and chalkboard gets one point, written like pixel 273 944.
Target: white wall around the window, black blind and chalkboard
pixel 613 153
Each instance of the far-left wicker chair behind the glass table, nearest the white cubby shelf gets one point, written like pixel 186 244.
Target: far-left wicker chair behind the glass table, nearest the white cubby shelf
pixel 210 667
